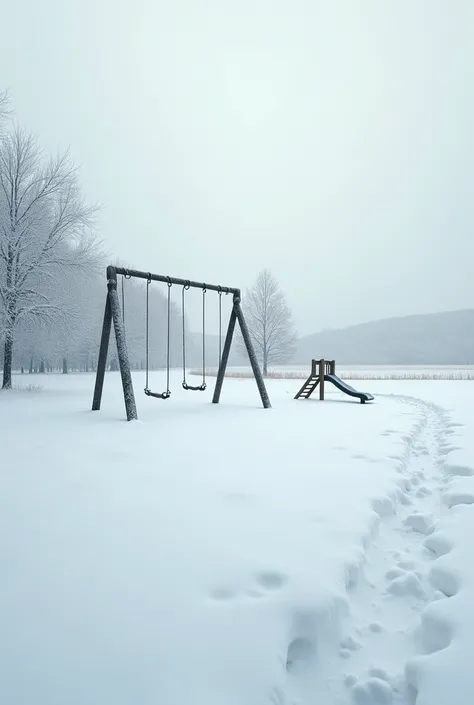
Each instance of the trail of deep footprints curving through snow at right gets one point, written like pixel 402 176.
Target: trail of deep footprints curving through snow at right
pixel 388 592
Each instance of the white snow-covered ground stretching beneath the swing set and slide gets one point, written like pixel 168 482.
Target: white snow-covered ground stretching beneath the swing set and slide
pixel 231 555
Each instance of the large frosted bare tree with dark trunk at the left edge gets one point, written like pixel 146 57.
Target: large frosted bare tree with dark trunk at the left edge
pixel 45 232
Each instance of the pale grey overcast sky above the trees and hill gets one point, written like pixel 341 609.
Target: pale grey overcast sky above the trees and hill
pixel 329 141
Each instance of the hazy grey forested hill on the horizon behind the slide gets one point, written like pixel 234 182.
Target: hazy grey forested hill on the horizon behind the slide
pixel 440 338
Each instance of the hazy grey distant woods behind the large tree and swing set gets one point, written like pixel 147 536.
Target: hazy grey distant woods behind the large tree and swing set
pixel 71 344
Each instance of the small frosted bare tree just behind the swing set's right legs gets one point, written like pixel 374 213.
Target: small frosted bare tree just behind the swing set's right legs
pixel 269 321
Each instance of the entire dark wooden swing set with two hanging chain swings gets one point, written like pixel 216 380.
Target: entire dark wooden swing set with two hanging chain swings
pixel 116 313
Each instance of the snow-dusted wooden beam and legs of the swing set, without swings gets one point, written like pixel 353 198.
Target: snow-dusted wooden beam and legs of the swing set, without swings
pixel 113 313
